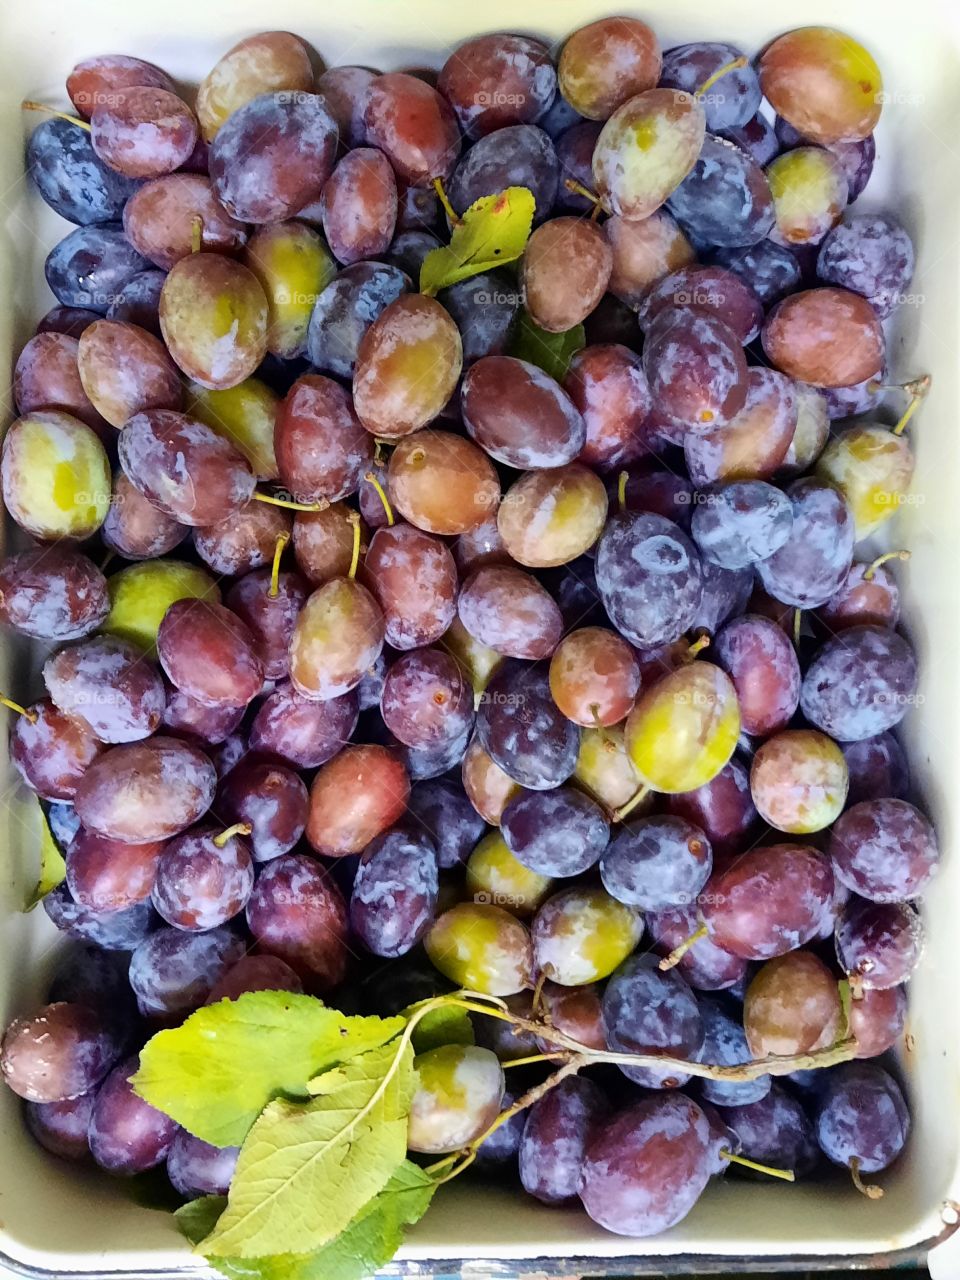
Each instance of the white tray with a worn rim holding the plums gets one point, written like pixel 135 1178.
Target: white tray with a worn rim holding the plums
pixel 57 1220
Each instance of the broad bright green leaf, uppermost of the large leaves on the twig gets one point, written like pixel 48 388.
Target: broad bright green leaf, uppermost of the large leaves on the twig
pixel 217 1072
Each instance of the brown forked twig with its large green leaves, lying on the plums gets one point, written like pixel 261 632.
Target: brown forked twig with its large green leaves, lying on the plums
pixel 319 1103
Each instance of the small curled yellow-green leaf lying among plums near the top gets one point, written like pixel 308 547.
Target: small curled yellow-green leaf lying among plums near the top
pixel 492 232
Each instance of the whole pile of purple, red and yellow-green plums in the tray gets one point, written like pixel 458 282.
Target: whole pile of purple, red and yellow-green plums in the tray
pixel 381 661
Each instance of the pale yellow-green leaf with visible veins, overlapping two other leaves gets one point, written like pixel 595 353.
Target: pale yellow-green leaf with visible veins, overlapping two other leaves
pixel 308 1168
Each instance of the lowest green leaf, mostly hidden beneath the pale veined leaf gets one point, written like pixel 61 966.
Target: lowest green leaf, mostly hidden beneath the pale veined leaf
pixel 367 1245
